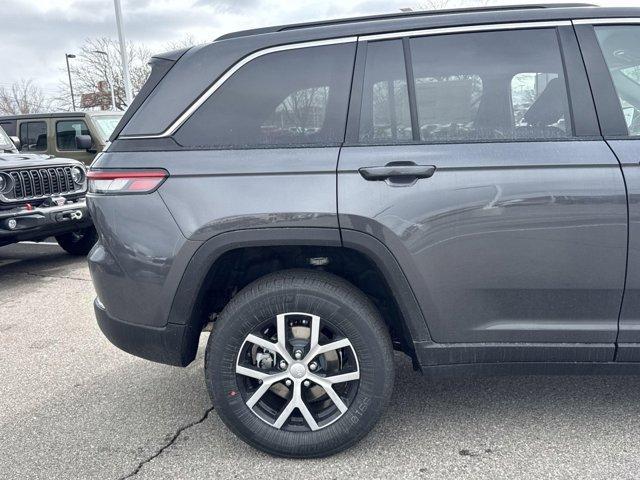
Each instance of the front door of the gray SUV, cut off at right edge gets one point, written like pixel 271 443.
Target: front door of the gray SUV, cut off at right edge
pixel 612 54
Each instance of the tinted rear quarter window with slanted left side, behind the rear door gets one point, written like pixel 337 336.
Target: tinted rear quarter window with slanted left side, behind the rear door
pixel 295 97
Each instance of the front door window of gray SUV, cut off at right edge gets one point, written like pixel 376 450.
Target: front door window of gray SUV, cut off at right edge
pixel 621 48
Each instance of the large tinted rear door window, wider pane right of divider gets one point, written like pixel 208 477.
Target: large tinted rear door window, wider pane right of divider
pixel 478 86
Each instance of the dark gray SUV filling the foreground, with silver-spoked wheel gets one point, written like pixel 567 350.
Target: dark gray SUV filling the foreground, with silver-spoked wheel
pixel 463 187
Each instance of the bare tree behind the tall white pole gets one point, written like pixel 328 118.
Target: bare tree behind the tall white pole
pixel 92 73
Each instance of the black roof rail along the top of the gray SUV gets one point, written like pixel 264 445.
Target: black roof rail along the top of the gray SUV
pixel 368 18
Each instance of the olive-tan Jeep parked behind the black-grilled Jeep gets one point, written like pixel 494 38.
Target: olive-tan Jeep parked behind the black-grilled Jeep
pixel 77 135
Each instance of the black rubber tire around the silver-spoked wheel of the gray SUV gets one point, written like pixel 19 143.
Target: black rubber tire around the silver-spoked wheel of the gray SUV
pixel 338 304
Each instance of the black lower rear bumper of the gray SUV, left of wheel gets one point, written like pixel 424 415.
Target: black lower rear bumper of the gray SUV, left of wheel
pixel 172 344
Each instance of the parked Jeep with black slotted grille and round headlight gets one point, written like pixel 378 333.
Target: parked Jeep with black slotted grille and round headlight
pixel 43 196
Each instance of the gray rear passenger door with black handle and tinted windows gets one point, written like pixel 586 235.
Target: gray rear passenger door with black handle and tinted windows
pixel 490 184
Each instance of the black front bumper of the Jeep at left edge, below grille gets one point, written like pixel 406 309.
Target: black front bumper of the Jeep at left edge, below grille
pixel 21 223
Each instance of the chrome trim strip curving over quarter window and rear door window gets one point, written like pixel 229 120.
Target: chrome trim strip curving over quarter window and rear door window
pixel 334 41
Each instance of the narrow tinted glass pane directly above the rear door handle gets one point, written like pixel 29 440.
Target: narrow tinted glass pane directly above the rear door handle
pixel 385 115
